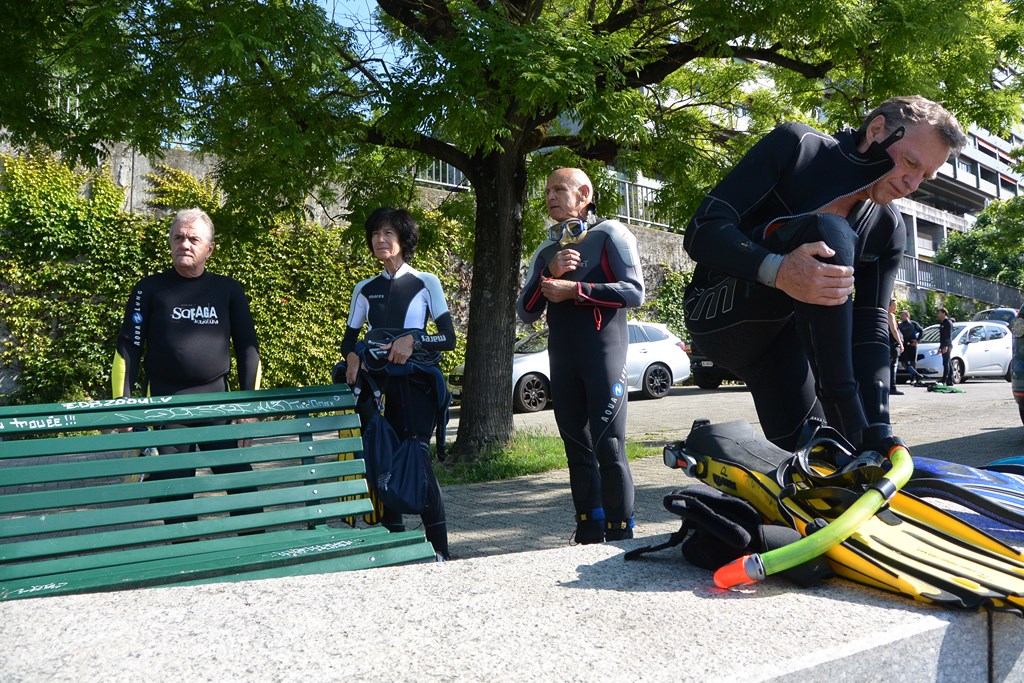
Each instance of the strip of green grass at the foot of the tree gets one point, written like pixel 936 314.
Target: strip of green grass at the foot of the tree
pixel 529 453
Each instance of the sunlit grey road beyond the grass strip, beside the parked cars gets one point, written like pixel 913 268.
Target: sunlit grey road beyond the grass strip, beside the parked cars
pixel 975 428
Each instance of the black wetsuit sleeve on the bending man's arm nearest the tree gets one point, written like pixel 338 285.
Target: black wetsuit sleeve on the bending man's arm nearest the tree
pixel 714 237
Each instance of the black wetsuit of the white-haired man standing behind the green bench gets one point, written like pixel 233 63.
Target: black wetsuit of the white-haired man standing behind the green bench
pixel 182 330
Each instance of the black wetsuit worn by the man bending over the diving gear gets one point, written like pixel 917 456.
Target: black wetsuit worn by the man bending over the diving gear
pixel 771 204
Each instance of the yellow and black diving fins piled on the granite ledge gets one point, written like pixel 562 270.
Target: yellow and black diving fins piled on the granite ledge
pixel 912 548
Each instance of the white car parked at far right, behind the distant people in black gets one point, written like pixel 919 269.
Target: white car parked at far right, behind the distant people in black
pixel 980 349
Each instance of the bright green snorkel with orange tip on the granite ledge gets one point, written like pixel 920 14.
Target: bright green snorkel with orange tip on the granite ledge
pixel 752 569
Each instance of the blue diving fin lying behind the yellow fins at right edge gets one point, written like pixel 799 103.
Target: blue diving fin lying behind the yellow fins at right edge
pixel 997 495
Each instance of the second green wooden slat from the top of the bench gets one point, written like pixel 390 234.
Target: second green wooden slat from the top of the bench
pixel 129 441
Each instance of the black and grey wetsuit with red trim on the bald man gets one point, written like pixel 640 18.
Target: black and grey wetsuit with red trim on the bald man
pixel 587 345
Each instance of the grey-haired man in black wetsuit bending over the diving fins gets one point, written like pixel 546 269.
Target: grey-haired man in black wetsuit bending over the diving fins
pixel 803 221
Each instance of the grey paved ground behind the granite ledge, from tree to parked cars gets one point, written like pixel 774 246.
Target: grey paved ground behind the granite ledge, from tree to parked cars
pixel 536 513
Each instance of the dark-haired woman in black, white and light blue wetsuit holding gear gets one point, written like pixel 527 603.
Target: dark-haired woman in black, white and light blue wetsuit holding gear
pixel 403 300
